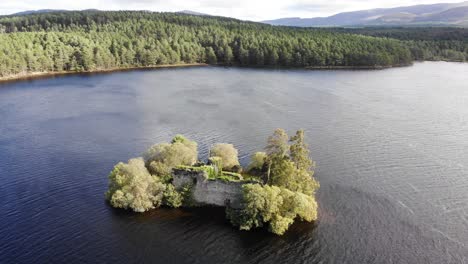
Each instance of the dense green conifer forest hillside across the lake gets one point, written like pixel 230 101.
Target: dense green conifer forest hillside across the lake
pixel 93 40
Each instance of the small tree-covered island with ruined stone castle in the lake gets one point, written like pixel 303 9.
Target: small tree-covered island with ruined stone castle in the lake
pixel 275 189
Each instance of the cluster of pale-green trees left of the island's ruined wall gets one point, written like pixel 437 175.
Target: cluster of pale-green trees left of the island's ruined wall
pixel 145 183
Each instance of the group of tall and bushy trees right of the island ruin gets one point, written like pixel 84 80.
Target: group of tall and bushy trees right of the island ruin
pixel 289 192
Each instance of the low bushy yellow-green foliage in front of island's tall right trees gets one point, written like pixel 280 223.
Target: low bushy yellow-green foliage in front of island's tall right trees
pixel 278 207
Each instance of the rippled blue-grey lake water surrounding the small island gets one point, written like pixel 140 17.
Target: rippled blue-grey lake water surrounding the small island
pixel 391 148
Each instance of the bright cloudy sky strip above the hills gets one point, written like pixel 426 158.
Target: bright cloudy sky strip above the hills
pixel 243 9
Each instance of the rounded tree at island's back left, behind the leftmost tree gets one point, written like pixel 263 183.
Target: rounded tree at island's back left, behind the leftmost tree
pixel 162 158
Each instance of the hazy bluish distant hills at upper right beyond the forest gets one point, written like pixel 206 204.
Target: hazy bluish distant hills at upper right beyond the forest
pixel 453 14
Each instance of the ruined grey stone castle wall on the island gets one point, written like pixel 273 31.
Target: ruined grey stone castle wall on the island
pixel 209 192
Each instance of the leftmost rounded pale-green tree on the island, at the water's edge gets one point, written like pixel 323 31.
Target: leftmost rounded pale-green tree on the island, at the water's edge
pixel 131 186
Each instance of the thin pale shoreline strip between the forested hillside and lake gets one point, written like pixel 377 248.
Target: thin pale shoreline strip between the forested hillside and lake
pixel 40 75
